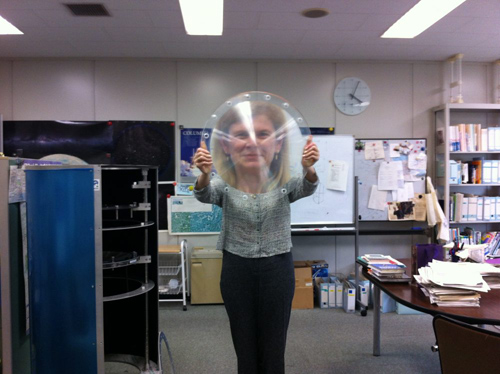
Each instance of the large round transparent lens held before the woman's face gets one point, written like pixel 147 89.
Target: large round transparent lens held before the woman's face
pixel 256 142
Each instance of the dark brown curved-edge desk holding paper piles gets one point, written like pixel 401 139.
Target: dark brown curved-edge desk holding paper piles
pixel 411 296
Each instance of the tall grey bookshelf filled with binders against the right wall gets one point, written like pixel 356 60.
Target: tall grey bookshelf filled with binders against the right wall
pixel 446 116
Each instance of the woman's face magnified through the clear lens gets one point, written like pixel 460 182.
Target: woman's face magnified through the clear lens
pixel 253 147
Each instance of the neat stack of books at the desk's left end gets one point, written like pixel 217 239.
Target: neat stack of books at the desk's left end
pixel 384 268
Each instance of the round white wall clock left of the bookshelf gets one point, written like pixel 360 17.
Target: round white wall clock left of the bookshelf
pixel 352 96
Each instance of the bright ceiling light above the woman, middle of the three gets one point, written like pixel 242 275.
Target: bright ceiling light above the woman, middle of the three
pixel 202 17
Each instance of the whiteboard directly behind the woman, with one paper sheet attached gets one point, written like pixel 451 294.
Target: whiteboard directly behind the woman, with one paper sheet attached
pixel 325 206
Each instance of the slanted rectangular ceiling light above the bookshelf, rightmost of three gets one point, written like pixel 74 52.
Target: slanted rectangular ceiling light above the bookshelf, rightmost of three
pixel 419 18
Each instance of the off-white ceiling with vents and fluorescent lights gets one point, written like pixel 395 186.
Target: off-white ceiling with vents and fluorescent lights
pixel 253 29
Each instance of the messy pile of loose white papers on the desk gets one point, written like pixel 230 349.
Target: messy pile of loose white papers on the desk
pixel 454 284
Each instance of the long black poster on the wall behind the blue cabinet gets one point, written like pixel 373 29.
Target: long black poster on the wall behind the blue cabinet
pixel 96 142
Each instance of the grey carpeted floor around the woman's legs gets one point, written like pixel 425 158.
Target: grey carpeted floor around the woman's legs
pixel 320 341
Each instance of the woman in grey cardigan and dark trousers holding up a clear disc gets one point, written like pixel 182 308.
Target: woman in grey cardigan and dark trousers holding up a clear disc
pixel 257 280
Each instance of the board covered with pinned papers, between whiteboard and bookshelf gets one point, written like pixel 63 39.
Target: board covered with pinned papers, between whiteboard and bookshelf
pixel 367 171
